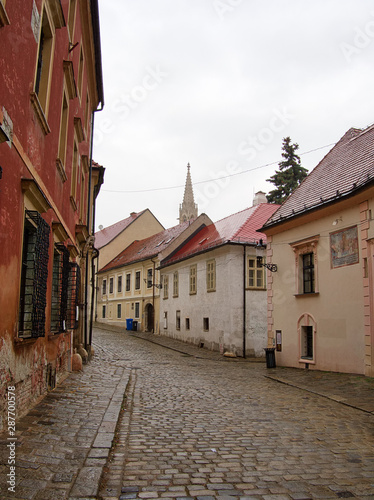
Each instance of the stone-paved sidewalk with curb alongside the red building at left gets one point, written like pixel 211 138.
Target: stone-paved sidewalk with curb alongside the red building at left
pixel 63 443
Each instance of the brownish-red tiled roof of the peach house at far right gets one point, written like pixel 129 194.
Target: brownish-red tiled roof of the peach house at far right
pixel 349 166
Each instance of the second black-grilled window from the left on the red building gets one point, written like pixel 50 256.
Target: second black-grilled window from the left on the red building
pixel 60 285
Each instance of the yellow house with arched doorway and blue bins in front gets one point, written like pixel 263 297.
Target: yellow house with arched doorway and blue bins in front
pixel 129 285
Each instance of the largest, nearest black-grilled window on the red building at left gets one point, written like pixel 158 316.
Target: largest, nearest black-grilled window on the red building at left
pixel 34 274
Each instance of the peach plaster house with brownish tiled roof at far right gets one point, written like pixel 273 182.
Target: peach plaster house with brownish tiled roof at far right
pixel 322 240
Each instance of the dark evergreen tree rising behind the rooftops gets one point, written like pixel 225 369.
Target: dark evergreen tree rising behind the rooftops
pixel 290 173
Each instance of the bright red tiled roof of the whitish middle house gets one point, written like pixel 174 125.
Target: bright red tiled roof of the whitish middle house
pixel 237 228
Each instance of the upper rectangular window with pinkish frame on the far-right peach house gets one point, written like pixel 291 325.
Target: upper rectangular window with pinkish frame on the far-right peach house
pixel 306 266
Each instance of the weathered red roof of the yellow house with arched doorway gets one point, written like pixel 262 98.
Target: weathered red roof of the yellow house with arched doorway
pixel 147 248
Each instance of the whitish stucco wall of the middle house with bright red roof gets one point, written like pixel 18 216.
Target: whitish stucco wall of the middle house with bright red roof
pixel 223 307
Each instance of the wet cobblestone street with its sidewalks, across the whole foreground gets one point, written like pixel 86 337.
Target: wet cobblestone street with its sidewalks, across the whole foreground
pixel 195 425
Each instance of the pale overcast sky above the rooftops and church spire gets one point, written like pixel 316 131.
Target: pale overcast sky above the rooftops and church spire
pixel 218 84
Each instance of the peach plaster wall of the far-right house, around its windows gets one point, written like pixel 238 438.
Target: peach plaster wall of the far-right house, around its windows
pixel 337 308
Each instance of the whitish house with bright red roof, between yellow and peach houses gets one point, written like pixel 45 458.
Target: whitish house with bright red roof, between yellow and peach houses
pixel 214 286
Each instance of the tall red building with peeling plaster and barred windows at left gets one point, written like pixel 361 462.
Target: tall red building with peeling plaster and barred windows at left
pixel 51 85
